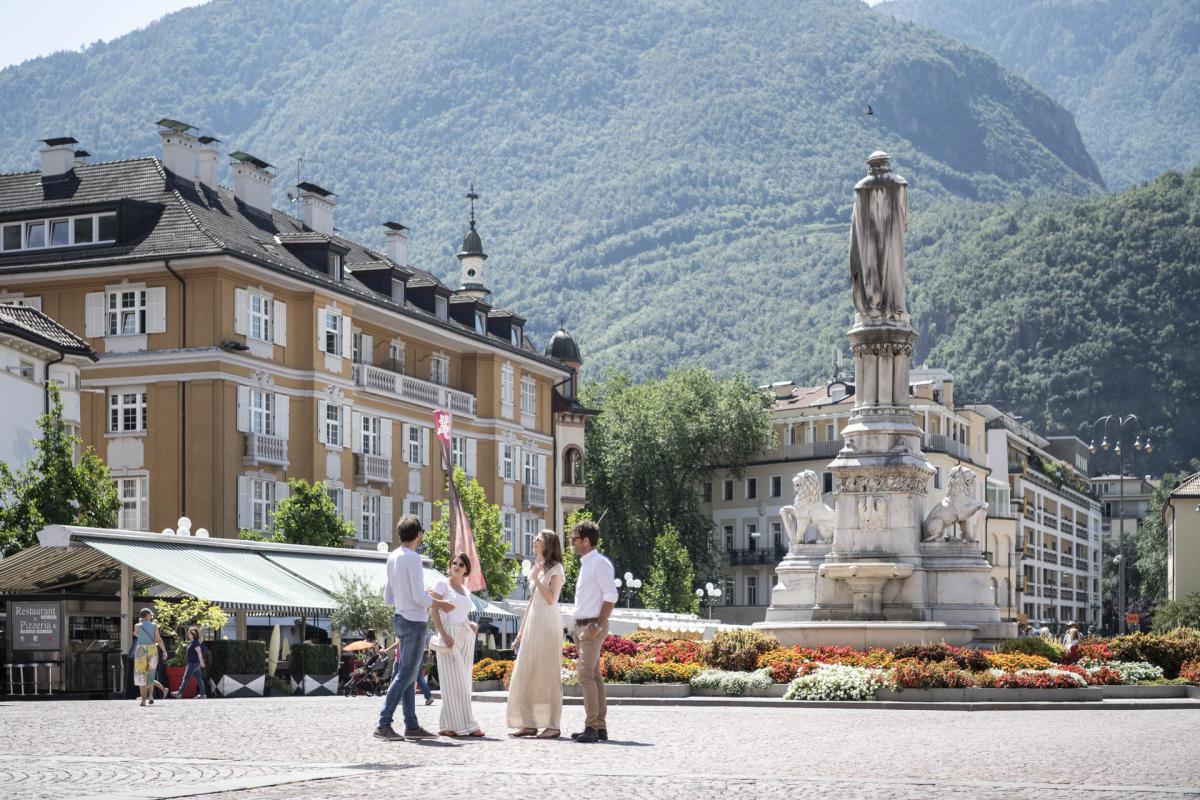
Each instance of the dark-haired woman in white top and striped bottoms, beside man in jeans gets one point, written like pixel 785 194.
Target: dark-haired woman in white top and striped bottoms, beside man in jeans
pixel 457 653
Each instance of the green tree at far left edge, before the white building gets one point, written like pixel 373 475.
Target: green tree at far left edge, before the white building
pixel 53 490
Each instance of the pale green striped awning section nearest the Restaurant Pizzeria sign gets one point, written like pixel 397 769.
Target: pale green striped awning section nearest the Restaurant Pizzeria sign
pixel 236 580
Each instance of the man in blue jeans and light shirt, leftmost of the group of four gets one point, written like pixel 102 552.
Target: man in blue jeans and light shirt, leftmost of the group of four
pixel 406 593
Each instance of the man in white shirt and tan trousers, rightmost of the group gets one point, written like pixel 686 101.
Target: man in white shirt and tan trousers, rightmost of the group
pixel 596 594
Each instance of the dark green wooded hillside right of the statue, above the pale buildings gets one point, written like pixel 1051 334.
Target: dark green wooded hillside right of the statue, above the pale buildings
pixel 1066 310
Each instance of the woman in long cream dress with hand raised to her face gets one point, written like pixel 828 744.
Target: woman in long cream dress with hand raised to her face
pixel 536 690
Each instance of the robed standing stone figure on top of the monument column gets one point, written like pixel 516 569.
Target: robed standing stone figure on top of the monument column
pixel 877 240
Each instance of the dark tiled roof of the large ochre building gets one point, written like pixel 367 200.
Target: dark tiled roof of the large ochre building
pixel 187 219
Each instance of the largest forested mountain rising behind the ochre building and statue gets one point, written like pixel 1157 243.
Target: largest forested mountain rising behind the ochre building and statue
pixel 670 179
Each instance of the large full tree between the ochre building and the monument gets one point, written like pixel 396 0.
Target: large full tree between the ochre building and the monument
pixel 652 448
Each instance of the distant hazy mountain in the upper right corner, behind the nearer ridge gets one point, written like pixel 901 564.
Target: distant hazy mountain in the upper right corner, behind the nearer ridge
pixel 1130 71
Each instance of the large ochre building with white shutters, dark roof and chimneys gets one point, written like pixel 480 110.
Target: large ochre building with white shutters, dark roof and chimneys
pixel 242 346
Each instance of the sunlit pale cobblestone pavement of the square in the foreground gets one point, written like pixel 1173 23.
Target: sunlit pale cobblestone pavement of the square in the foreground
pixel 301 749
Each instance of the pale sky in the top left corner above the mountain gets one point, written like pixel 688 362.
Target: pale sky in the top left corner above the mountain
pixel 34 28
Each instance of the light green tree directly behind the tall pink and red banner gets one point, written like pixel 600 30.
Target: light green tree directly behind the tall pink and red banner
pixel 485 524
